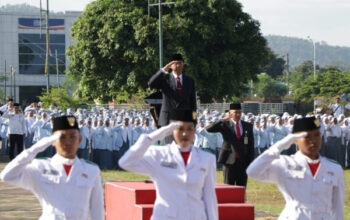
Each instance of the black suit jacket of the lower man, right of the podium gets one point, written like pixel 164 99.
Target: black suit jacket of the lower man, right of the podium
pixel 231 145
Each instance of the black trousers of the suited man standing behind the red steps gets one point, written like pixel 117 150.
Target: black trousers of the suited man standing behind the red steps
pixel 235 174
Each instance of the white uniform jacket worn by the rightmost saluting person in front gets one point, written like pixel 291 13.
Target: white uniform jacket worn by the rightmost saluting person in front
pixel 307 197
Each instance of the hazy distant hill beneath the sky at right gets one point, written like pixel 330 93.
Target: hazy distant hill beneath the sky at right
pixel 301 50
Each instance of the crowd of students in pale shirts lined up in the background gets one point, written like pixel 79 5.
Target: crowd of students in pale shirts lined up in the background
pixel 108 134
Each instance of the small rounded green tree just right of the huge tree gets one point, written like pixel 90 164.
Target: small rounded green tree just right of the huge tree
pixel 267 87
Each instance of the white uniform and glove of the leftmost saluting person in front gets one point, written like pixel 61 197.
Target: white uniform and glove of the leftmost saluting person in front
pixel 76 197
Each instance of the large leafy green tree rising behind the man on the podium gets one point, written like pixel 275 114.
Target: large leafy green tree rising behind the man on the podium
pixel 116 47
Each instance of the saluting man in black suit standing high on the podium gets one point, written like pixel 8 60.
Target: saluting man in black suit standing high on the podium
pixel 178 90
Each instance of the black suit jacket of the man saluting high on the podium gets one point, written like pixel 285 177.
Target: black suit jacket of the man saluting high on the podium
pixel 171 99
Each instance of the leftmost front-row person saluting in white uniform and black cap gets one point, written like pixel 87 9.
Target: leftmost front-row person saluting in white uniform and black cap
pixel 67 187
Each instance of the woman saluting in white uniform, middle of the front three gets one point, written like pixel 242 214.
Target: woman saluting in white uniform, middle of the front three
pixel 184 175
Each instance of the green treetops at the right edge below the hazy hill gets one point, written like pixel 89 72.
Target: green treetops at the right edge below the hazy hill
pixel 328 84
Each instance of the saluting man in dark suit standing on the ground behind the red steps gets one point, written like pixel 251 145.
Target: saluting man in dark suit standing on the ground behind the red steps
pixel 237 150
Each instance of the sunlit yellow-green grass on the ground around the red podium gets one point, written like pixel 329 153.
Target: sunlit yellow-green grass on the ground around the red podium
pixel 264 196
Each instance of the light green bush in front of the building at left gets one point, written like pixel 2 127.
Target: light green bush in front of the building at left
pixel 60 98
